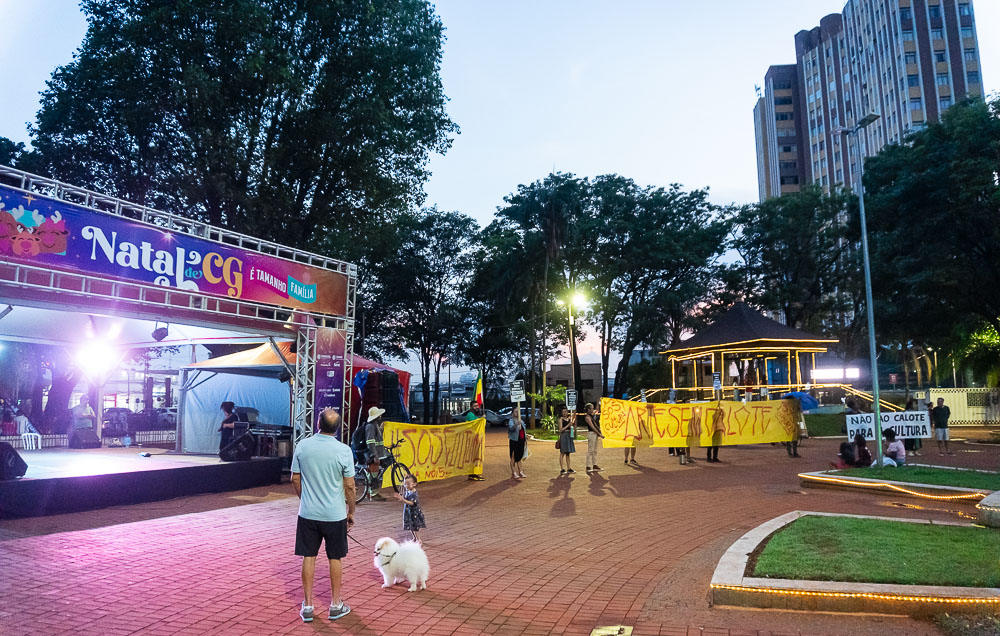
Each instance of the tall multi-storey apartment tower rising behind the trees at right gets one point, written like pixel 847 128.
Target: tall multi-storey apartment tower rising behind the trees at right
pixel 905 60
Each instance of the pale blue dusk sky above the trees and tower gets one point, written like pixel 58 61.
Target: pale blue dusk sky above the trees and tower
pixel 659 91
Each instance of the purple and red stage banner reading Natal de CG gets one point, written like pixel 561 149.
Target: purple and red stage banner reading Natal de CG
pixel 39 231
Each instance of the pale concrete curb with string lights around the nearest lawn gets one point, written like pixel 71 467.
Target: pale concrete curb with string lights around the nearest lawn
pixel 731 587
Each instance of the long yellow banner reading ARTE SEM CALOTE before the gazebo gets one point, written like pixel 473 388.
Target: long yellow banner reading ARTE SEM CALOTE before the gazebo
pixel 625 423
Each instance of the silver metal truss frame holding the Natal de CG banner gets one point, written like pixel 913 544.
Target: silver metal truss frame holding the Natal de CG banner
pixel 47 288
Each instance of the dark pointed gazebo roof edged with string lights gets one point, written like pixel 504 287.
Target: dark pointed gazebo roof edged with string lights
pixel 742 327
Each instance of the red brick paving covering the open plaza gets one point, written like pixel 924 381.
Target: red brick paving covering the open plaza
pixel 633 546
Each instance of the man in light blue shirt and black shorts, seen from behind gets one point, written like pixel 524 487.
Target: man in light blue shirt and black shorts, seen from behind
pixel 323 478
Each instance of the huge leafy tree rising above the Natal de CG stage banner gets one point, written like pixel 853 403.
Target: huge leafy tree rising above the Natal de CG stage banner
pixel 279 118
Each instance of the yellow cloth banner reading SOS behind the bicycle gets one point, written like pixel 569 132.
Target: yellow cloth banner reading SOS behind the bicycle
pixel 438 452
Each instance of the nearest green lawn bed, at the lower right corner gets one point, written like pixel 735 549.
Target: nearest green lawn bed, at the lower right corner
pixel 874 551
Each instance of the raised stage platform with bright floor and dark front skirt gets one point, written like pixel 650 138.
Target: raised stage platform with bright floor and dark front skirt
pixel 68 480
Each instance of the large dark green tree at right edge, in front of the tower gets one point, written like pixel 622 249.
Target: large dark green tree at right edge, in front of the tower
pixel 934 218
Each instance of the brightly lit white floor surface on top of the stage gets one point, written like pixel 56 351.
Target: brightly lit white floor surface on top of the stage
pixel 54 463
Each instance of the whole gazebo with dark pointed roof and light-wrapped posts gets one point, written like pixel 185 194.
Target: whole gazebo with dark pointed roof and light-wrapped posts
pixel 767 355
